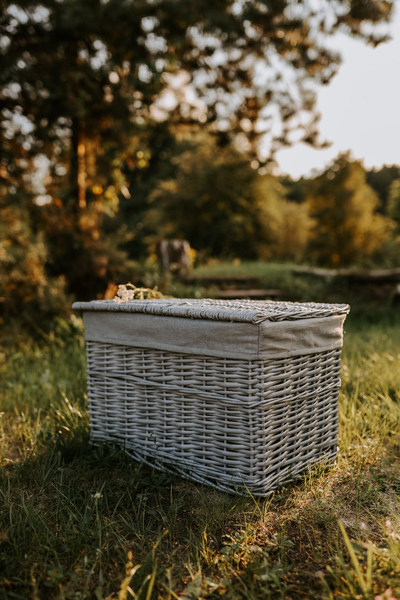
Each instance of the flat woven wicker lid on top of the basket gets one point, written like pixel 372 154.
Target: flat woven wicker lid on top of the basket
pixel 241 311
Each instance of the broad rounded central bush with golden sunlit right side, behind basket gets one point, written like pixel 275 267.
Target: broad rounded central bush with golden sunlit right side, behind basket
pixel 218 202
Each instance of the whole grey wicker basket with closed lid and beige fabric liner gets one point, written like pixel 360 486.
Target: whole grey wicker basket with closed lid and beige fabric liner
pixel 241 395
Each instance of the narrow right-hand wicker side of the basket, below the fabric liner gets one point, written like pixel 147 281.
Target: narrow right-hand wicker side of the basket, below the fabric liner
pixel 300 426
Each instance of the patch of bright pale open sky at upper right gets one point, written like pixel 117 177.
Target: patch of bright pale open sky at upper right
pixel 360 108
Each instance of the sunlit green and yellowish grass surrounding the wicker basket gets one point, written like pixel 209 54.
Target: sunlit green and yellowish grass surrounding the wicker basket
pixel 83 522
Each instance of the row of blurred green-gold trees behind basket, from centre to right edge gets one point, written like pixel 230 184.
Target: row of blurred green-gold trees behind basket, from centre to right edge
pixel 227 209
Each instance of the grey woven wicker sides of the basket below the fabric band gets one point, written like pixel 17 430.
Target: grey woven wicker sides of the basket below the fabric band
pixel 225 422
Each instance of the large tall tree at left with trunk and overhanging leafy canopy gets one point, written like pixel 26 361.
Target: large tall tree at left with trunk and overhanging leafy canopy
pixel 81 81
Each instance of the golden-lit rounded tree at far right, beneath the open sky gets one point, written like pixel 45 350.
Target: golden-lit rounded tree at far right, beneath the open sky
pixel 347 227
